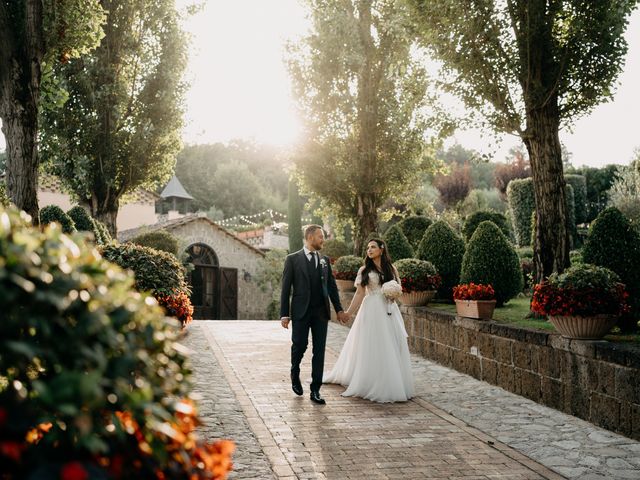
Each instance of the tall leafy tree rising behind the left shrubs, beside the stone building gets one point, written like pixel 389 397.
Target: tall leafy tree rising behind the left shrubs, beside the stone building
pixel 120 128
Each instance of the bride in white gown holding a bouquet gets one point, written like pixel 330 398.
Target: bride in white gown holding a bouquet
pixel 374 362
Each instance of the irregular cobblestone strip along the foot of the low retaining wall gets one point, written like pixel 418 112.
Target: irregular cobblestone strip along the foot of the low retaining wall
pixel 568 445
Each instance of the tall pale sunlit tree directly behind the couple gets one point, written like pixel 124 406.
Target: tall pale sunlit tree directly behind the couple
pixel 361 93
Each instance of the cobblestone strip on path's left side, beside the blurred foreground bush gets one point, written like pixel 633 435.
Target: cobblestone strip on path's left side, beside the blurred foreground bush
pixel 222 415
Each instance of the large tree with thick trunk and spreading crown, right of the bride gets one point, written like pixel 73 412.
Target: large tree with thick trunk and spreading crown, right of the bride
pixel 529 67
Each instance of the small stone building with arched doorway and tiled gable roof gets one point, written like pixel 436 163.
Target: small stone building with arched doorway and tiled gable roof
pixel 224 277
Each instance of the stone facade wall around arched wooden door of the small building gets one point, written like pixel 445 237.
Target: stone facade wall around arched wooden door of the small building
pixel 252 302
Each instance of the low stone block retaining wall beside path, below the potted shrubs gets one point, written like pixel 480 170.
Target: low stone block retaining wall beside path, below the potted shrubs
pixel 596 381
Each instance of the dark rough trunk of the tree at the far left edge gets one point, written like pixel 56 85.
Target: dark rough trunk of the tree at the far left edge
pixel 21 53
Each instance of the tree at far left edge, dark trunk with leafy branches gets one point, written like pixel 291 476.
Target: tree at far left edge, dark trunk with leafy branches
pixel 35 35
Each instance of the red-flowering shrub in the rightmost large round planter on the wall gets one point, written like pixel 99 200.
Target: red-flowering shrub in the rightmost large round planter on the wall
pixel 582 290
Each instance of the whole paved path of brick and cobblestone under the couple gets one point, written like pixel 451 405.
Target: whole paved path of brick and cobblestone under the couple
pixel 456 427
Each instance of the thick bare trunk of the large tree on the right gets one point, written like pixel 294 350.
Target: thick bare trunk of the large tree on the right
pixel 551 247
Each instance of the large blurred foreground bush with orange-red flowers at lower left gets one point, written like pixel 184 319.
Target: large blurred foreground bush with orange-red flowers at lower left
pixel 92 383
